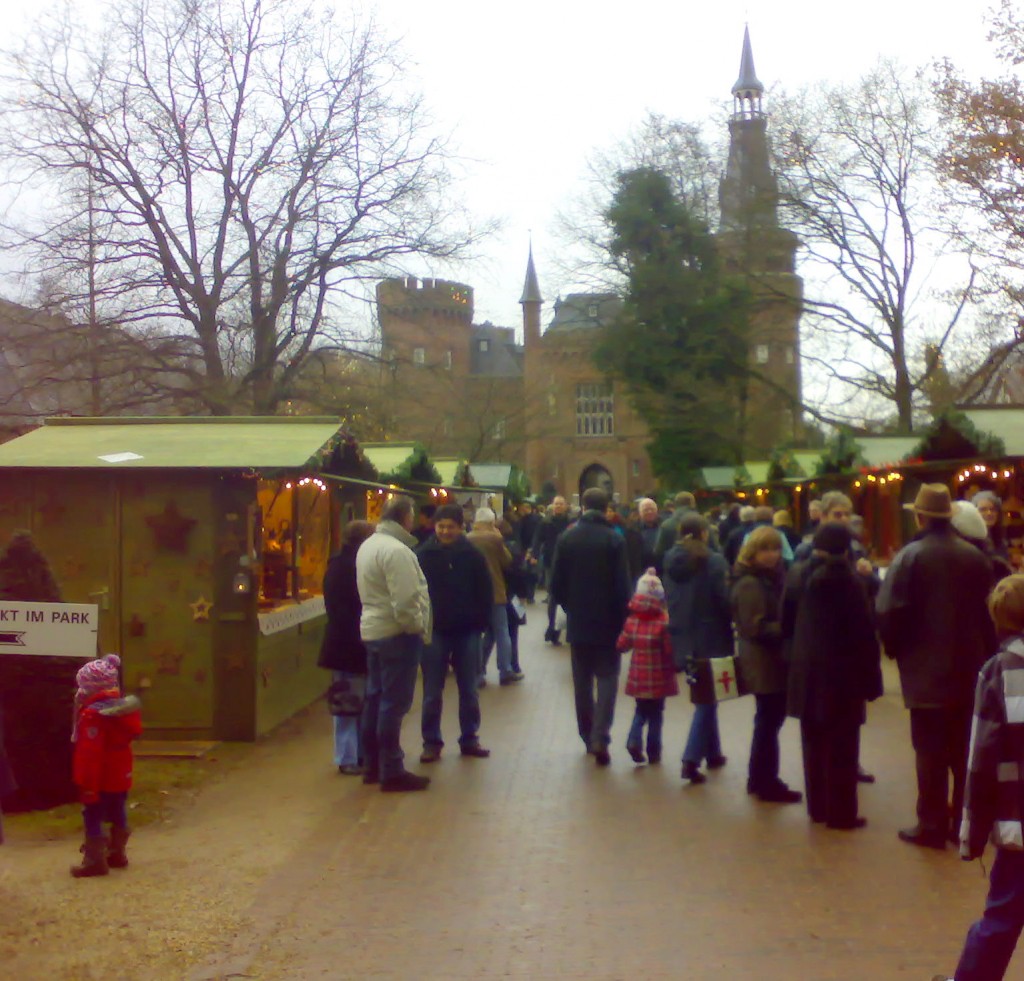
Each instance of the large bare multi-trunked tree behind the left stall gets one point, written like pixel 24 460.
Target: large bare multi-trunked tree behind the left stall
pixel 224 173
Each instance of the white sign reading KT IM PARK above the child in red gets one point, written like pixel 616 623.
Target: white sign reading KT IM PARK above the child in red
pixel 64 630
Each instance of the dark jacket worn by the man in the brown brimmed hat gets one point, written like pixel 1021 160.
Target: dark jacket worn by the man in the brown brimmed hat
pixel 934 620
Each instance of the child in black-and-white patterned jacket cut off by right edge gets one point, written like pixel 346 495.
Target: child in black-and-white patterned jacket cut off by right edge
pixel 994 804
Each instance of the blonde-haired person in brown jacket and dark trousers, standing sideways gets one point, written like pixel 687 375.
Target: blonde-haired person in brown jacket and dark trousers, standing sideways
pixel 757 596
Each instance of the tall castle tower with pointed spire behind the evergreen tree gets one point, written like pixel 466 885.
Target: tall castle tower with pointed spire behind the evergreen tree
pixel 754 244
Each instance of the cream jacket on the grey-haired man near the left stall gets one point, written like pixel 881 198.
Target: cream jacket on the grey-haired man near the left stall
pixel 392 586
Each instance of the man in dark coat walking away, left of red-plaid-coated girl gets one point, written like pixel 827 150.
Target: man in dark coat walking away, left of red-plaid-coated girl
pixel 591 582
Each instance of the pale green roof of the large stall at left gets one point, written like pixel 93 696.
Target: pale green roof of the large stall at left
pixel 233 444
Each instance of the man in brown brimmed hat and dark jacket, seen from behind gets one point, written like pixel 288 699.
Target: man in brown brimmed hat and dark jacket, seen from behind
pixel 934 622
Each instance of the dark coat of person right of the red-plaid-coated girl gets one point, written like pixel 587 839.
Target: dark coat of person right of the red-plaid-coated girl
pixel 698 593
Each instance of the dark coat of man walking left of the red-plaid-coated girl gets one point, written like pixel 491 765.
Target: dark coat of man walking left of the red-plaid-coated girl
pixel 591 582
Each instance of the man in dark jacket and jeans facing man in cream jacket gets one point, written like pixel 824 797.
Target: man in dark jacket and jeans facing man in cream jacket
pixel 461 596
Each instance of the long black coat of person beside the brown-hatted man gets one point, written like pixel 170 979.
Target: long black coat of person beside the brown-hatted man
pixel 835 661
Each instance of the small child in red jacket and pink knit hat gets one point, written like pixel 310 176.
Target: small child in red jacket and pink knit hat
pixel 106 723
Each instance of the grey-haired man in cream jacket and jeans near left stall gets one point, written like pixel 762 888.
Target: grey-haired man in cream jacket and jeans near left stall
pixel 395 625
